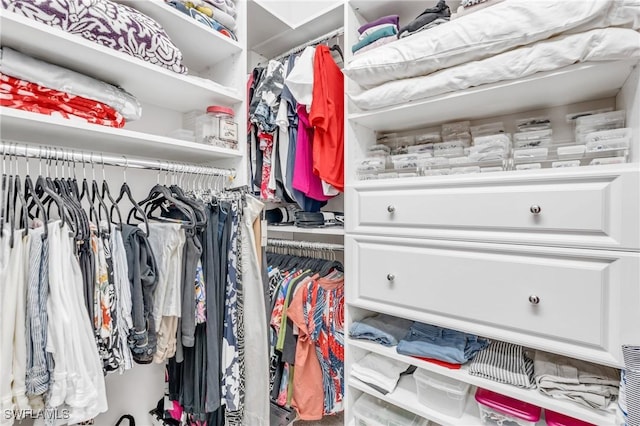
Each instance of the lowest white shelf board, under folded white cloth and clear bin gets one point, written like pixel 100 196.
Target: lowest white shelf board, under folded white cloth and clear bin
pixel 405 396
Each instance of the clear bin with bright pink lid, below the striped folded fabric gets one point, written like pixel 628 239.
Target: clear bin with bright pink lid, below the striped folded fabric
pixel 501 410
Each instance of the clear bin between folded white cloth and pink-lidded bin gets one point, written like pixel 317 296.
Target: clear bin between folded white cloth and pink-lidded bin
pixel 448 396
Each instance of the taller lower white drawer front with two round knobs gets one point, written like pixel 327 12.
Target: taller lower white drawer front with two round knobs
pixel 584 303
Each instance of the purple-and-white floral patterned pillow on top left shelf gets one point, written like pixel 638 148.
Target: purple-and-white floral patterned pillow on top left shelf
pixel 110 24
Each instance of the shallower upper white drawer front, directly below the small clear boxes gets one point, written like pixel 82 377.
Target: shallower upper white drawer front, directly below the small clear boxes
pixel 573 209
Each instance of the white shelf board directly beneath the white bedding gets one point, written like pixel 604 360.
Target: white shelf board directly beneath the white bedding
pixel 569 85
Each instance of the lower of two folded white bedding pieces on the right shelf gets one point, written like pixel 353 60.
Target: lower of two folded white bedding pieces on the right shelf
pixel 595 45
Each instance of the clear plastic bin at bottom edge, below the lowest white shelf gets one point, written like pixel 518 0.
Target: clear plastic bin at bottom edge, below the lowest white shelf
pixel 370 411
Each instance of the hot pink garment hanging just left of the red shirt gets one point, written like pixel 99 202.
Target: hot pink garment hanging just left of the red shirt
pixel 304 179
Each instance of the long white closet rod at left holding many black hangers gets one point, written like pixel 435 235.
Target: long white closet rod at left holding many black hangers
pixel 15 149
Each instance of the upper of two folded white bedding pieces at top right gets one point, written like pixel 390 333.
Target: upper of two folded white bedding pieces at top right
pixel 488 32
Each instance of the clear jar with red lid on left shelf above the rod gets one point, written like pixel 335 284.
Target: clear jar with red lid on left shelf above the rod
pixel 217 127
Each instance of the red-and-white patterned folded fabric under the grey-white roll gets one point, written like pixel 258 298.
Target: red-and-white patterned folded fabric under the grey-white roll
pixel 27 96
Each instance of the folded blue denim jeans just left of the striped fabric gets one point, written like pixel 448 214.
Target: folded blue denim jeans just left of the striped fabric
pixel 440 344
